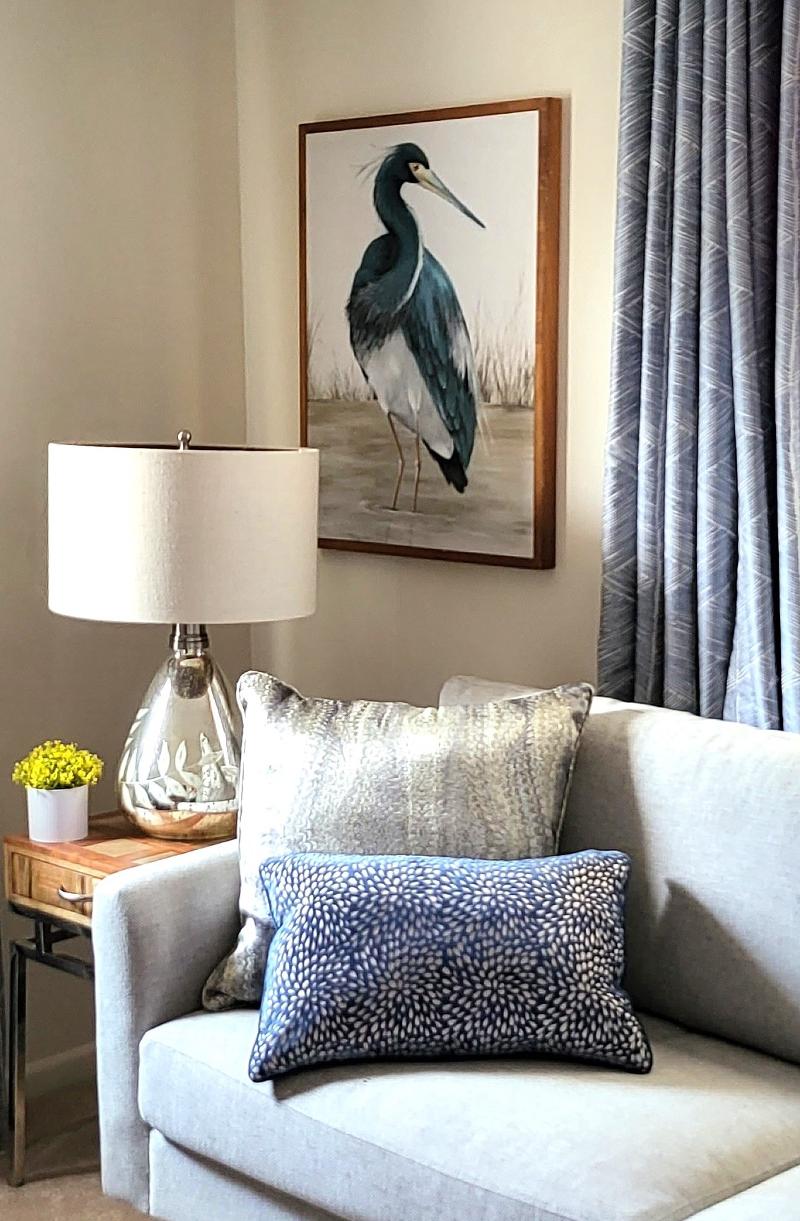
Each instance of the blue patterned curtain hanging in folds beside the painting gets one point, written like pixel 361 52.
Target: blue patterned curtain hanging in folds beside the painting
pixel 702 576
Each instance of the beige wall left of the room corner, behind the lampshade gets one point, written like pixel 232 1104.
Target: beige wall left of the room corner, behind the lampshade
pixel 120 319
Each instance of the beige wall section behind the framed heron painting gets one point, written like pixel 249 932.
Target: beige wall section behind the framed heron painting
pixel 396 628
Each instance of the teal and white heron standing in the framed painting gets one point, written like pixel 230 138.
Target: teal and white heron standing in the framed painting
pixel 409 332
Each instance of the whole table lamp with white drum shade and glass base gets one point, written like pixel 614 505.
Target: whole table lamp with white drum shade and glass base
pixel 184 537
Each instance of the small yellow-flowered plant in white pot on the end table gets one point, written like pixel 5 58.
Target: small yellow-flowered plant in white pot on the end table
pixel 58 777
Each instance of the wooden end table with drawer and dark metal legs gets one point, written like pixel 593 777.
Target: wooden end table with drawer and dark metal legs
pixel 52 885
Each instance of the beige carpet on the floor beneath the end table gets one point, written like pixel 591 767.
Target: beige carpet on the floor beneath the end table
pixel 62 1176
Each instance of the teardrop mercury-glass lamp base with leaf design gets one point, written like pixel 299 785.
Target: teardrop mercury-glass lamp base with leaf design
pixel 180 767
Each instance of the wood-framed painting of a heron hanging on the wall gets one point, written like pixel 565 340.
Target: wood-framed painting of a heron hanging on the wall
pixel 429 330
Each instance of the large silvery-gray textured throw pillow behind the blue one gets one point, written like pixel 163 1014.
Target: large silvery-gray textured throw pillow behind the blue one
pixel 335 776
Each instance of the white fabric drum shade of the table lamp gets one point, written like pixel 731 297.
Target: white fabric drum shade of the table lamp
pixel 184 537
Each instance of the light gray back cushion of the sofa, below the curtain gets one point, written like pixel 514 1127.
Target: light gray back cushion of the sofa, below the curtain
pixel 710 815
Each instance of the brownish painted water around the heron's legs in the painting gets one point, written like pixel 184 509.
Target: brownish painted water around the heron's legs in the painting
pixel 358 467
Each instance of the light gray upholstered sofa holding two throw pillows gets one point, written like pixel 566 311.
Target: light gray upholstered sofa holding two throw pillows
pixel 710 814
